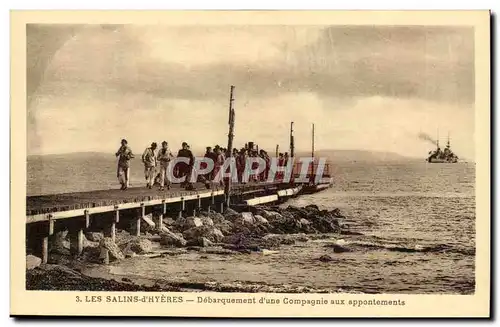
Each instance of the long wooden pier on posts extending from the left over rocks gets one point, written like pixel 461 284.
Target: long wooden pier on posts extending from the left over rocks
pixel 103 210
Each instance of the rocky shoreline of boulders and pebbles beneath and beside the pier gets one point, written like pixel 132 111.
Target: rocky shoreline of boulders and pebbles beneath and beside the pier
pixel 255 229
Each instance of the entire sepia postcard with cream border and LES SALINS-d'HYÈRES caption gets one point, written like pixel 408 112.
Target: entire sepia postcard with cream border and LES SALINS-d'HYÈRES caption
pixel 250 164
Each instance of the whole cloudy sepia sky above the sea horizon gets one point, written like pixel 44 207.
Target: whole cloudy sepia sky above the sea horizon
pixel 364 87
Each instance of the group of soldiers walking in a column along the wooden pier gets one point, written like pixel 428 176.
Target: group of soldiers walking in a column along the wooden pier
pixel 153 160
